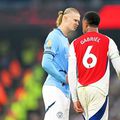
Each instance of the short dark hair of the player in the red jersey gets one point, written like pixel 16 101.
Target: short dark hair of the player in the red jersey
pixel 92 18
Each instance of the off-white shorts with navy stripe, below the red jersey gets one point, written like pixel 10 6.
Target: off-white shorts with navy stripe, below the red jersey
pixel 95 104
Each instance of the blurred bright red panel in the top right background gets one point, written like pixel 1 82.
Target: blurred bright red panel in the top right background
pixel 110 17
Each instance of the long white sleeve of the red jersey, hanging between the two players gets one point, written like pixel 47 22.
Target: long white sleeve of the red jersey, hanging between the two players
pixel 72 76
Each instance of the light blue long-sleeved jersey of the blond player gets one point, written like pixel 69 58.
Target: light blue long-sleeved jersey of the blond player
pixel 55 60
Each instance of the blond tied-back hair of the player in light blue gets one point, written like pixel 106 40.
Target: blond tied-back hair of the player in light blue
pixel 61 13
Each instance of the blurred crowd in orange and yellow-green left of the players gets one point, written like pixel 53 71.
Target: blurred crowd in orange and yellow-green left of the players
pixel 21 79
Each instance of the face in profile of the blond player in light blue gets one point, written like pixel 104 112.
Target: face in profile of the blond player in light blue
pixel 72 21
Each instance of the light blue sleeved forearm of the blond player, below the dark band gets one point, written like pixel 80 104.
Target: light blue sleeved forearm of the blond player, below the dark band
pixel 47 64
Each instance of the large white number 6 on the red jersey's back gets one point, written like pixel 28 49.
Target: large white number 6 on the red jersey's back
pixel 87 56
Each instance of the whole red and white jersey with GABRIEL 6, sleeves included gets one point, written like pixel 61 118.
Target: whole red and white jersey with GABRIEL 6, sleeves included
pixel 89 61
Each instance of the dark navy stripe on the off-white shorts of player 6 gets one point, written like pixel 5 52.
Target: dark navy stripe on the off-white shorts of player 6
pixel 101 112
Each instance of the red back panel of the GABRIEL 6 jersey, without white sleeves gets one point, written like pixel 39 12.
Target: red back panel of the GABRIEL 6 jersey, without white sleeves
pixel 91 51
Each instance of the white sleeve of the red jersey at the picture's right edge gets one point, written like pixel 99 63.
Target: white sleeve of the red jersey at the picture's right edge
pixel 113 54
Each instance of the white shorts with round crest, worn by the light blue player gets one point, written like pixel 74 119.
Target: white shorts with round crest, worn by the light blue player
pixel 57 105
